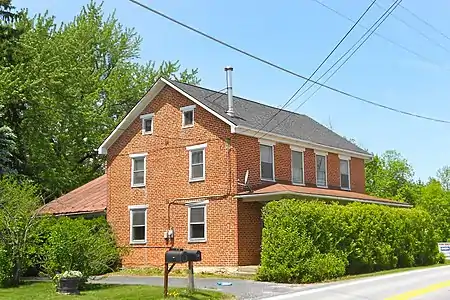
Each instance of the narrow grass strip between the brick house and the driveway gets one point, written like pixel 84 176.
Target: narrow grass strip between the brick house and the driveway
pixel 151 271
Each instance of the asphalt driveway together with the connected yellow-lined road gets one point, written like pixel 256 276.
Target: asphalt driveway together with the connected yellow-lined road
pixel 423 284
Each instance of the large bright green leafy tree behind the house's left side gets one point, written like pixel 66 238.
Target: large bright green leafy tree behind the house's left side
pixel 74 84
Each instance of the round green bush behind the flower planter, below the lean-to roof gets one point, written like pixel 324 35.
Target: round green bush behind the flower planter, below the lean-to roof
pixel 78 244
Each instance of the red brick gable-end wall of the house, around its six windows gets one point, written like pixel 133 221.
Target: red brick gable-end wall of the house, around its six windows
pixel 167 178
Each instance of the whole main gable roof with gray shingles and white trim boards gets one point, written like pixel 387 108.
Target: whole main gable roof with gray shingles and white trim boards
pixel 249 118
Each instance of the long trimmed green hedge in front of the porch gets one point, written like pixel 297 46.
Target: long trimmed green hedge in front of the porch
pixel 310 241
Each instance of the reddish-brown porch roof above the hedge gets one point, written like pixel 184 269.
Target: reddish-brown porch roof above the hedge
pixel 278 189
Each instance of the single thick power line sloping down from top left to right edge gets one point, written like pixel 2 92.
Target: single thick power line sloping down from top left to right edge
pixel 284 69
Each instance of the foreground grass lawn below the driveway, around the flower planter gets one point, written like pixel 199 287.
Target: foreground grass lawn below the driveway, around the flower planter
pixel 46 291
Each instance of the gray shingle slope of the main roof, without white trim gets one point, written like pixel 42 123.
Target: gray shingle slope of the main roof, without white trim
pixel 255 115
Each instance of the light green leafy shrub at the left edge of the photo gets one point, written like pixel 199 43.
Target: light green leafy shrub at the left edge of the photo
pixel 18 222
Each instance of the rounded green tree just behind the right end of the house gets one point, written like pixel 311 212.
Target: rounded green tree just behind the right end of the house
pixel 391 176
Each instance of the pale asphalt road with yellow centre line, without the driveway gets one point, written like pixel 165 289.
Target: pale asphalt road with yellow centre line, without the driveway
pixel 423 284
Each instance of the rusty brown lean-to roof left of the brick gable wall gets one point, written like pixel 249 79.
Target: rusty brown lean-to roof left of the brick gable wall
pixel 87 199
